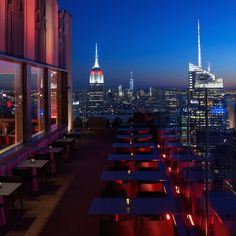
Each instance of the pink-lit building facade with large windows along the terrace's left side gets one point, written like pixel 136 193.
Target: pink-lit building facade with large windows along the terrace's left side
pixel 35 74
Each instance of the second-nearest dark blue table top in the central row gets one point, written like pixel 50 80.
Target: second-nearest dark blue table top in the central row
pixel 143 175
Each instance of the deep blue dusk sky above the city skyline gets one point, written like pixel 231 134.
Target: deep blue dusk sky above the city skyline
pixel 155 39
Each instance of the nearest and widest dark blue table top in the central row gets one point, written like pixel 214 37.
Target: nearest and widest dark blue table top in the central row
pixel 137 206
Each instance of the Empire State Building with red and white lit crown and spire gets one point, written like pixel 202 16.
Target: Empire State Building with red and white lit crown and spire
pixel 96 88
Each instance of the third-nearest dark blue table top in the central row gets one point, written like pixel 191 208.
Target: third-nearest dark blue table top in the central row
pixel 135 157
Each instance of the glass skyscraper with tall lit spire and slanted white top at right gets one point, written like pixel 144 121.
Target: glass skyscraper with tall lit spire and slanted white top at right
pixel 204 83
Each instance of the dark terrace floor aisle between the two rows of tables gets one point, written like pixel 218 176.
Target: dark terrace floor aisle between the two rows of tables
pixel 62 208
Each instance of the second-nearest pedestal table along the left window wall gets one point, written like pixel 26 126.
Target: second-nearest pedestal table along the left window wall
pixel 38 164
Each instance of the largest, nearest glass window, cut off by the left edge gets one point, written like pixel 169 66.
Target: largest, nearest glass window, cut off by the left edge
pixel 11 105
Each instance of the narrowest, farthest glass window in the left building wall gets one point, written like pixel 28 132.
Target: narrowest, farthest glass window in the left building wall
pixel 53 75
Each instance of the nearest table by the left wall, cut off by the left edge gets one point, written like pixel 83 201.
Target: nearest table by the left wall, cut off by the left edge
pixel 5 191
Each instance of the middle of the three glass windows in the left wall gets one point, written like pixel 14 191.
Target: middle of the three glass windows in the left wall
pixel 38 100
